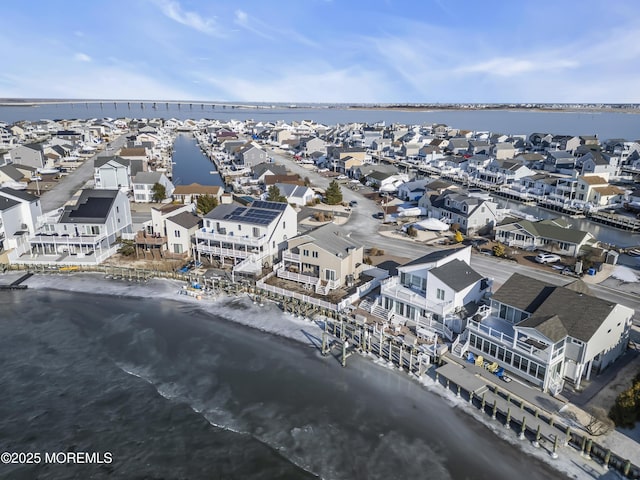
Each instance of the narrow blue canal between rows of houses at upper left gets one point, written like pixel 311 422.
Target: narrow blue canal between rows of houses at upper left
pixel 191 165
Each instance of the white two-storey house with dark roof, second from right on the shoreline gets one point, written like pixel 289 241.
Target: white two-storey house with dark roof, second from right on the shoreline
pixel 436 292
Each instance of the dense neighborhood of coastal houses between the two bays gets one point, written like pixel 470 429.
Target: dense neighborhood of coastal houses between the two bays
pixel 288 226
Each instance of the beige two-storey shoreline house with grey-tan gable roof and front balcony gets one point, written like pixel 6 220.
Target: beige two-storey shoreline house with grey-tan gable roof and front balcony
pixel 324 259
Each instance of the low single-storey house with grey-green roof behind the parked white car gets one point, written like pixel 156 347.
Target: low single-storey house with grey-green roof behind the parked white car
pixel 553 235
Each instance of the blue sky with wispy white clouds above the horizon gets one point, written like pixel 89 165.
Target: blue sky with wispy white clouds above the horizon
pixel 382 51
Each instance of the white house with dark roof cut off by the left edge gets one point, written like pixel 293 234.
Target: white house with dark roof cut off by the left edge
pixel 19 212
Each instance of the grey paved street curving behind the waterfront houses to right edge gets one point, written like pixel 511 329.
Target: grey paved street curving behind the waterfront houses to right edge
pixel 364 230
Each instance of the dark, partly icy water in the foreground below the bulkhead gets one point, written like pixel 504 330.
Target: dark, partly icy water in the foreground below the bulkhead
pixel 173 392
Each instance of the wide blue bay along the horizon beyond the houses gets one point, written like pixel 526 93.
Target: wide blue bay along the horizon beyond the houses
pixel 604 124
